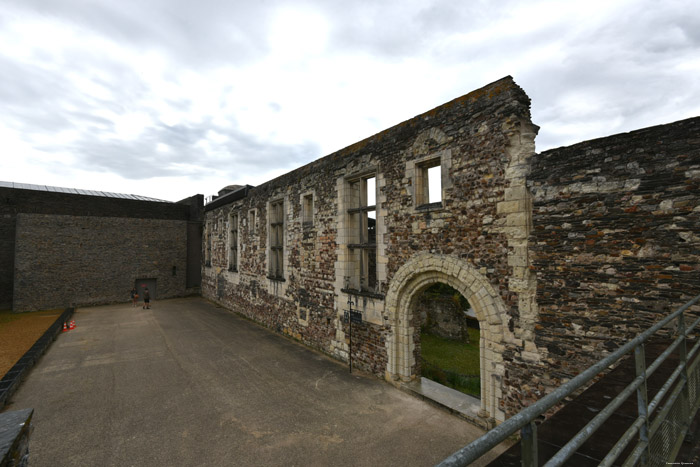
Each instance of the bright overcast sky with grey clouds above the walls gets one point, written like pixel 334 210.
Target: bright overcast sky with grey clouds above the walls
pixel 169 98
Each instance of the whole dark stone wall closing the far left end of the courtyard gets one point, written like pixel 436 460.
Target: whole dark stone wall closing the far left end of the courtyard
pixel 59 249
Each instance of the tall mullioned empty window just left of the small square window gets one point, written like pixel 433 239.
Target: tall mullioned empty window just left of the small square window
pixel 362 233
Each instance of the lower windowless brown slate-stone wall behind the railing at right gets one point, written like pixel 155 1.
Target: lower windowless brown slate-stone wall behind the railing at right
pixel 615 246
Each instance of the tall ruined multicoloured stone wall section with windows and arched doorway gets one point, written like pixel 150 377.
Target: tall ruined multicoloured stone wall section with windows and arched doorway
pixel 480 142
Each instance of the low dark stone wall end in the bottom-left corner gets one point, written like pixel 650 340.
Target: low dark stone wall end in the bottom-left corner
pixel 15 429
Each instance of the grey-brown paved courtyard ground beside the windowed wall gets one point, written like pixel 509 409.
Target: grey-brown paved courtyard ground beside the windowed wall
pixel 187 383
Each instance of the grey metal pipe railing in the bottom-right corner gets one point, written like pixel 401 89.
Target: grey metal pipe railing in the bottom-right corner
pixel 658 429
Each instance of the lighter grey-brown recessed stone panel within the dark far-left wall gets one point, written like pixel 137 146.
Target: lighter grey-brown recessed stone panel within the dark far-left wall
pixel 78 261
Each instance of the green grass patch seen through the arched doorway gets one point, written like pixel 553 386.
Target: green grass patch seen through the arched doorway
pixel 451 363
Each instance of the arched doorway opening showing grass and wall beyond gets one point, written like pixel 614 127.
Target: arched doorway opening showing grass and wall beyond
pixel 448 348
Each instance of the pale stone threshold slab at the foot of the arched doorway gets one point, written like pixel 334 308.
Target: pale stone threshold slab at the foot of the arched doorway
pixel 455 402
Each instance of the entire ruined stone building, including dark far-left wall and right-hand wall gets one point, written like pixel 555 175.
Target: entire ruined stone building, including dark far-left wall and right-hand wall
pixel 563 255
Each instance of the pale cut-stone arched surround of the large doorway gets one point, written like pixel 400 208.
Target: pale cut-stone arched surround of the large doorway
pixel 419 273
